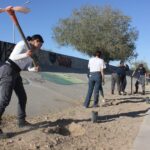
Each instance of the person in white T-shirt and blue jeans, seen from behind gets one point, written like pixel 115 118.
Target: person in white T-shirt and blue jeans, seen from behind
pixel 96 77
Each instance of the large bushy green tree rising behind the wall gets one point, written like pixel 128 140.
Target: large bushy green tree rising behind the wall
pixel 93 27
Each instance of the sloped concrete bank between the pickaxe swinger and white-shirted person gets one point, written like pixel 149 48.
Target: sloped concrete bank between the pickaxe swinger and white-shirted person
pixel 50 92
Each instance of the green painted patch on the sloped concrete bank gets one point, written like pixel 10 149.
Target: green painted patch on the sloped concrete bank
pixel 61 78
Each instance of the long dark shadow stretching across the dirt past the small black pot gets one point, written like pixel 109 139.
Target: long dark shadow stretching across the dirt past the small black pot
pixel 63 123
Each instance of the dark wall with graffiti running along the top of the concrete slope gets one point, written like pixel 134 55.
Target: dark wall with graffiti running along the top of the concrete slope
pixel 50 61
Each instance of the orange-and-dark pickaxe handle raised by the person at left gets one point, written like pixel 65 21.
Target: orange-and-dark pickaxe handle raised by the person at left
pixel 15 21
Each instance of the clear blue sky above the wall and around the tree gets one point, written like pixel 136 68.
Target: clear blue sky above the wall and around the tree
pixel 45 15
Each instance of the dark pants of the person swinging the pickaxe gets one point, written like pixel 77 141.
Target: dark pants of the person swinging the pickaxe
pixel 11 80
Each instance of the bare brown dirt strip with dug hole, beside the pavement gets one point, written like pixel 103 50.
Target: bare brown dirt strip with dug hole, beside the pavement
pixel 118 123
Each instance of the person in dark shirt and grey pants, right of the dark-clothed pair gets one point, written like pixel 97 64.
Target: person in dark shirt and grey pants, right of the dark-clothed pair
pixel 140 73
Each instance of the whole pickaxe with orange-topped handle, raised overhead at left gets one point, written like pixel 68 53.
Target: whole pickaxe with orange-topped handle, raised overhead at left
pixel 11 11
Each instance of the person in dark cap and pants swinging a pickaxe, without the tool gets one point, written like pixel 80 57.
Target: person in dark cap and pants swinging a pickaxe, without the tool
pixel 10 79
